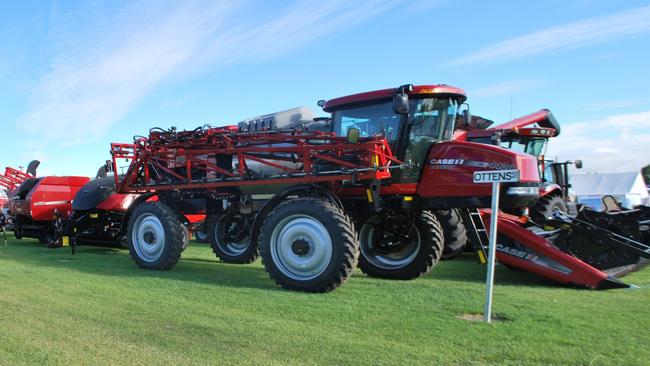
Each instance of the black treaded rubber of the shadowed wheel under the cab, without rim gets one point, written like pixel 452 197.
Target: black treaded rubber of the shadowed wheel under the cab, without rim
pixel 431 247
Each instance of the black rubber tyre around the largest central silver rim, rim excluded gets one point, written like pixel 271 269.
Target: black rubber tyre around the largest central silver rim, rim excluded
pixel 348 246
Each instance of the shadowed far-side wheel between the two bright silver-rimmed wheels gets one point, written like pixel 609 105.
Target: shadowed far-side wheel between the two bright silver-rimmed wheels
pixel 230 239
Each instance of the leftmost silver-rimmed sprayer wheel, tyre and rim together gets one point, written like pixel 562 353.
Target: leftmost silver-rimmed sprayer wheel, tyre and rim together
pixel 154 236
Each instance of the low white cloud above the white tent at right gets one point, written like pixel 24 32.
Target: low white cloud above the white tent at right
pixel 617 143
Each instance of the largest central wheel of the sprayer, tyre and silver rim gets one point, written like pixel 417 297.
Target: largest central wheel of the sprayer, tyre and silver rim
pixel 308 244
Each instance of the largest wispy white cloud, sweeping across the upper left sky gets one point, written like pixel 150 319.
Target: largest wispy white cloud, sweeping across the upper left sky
pixel 103 65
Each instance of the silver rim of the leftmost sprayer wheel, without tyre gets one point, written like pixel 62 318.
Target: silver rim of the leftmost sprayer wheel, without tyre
pixel 148 237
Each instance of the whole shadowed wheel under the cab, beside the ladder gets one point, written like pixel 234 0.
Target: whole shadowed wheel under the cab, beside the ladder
pixel 395 247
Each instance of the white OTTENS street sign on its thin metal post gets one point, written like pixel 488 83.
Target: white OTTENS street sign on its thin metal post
pixel 495 177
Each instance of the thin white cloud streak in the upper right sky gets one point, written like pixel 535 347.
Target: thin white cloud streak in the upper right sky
pixel 627 23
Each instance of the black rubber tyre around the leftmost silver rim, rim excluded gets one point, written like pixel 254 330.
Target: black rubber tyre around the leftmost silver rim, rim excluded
pixel 171 225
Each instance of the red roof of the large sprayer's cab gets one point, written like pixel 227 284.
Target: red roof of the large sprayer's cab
pixel 437 90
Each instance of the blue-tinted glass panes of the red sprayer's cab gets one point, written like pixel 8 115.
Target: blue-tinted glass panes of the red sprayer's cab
pixel 430 119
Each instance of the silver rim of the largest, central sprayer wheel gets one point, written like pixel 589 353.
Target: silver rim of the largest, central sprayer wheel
pixel 301 247
